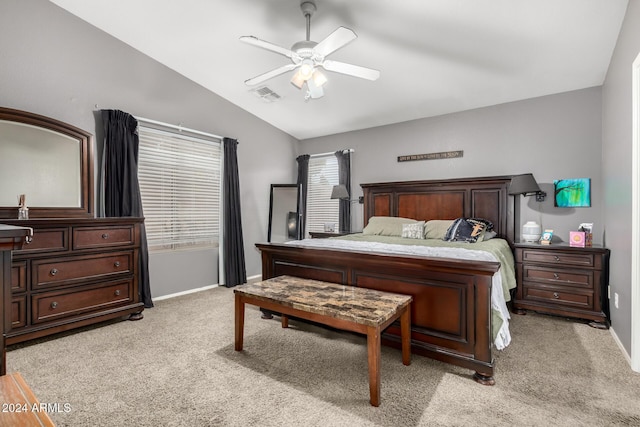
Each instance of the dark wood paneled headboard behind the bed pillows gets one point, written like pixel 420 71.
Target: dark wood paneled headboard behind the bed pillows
pixel 444 199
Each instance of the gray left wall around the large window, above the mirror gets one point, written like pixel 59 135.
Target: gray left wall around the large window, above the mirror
pixel 56 65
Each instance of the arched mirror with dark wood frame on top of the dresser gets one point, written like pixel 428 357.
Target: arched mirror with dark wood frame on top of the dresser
pixel 48 161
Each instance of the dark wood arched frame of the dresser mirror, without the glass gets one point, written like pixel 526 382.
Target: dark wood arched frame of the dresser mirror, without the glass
pixel 85 210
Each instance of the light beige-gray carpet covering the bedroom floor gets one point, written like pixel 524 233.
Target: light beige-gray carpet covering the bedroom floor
pixel 177 367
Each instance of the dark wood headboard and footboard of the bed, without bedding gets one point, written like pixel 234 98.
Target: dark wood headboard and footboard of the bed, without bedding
pixel 451 312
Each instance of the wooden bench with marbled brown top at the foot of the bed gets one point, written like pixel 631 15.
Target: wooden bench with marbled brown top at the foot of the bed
pixel 350 308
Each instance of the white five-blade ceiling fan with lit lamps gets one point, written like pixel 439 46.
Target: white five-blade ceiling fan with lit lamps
pixel 308 57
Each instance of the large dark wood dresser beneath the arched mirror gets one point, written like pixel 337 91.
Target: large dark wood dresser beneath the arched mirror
pixel 75 272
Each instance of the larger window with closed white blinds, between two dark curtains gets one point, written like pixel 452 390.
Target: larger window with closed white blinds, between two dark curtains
pixel 180 185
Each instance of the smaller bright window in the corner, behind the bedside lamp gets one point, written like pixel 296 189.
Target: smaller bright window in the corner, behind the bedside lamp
pixel 321 208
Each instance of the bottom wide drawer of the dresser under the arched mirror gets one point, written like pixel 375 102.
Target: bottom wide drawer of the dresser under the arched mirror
pixel 50 306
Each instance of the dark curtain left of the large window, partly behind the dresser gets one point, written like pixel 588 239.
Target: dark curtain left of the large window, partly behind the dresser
pixel 120 182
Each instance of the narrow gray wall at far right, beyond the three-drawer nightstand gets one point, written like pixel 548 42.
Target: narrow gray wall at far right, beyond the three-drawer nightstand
pixel 617 169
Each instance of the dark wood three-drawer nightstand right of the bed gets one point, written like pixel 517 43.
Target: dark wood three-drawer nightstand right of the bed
pixel 563 280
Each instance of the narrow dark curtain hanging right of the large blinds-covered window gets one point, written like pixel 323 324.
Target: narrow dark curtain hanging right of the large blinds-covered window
pixel 234 265
